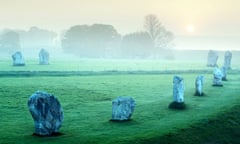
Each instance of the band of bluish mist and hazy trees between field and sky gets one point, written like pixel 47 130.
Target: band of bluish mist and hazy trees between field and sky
pixel 104 41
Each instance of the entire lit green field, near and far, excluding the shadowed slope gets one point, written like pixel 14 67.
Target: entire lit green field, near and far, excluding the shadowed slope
pixel 85 88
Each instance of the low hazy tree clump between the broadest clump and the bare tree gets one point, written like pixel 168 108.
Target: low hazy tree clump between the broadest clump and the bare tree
pixel 137 45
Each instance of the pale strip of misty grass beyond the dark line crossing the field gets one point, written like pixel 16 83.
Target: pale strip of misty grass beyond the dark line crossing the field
pixel 109 65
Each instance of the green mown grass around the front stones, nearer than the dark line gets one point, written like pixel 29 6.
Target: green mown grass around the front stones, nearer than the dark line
pixel 86 101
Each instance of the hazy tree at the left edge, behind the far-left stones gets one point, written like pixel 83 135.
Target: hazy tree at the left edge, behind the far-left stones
pixel 10 41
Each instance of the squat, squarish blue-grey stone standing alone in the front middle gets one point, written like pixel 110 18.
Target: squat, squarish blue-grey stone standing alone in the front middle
pixel 122 108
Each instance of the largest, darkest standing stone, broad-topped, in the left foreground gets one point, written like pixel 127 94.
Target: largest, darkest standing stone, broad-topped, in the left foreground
pixel 47 113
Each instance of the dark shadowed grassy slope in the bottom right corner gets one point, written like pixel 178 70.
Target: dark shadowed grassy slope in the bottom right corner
pixel 223 128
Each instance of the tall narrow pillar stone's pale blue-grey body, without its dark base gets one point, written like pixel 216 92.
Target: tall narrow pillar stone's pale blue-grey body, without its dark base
pixel 178 89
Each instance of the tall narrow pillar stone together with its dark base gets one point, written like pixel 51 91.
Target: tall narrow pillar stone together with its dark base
pixel 178 93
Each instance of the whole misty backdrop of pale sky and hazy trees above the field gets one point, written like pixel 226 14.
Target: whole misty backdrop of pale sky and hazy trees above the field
pixel 117 30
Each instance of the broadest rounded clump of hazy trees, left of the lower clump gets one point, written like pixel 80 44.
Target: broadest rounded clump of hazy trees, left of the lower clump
pixel 90 41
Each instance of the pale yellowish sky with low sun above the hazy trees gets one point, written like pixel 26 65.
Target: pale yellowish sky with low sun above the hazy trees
pixel 202 17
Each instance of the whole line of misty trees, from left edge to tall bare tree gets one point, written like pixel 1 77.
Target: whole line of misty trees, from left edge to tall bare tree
pixel 96 41
